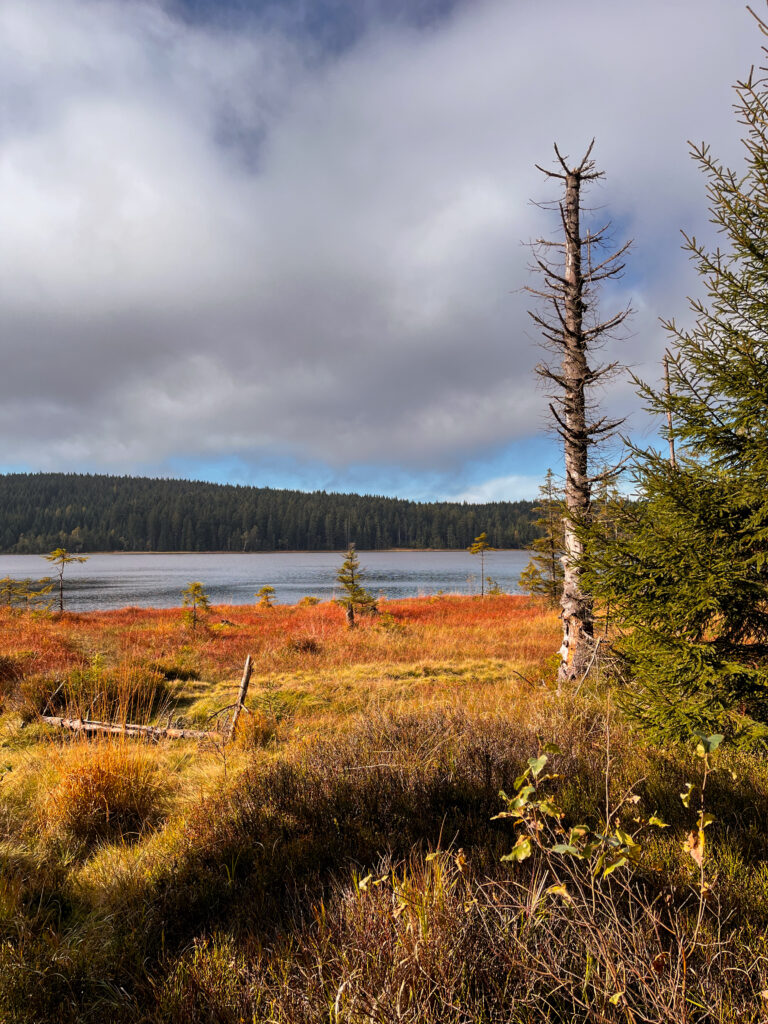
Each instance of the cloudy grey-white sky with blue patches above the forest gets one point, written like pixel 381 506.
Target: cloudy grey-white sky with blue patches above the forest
pixel 285 242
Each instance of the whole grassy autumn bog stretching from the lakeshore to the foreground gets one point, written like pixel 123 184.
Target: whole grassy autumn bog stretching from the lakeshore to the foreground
pixel 343 861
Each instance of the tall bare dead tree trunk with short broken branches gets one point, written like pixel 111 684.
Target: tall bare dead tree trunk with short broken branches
pixel 571 326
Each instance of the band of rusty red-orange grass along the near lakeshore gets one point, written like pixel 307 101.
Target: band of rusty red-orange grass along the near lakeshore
pixel 285 637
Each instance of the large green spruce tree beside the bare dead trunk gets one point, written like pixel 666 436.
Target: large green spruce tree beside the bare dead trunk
pixel 687 570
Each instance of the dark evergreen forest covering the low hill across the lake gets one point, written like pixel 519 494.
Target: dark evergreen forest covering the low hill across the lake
pixel 83 513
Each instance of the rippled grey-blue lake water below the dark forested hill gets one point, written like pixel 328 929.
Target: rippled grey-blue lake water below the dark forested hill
pixel 115 581
